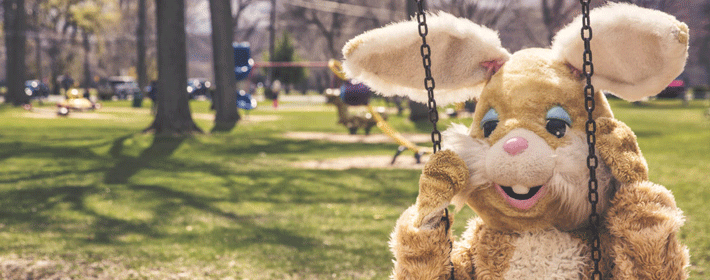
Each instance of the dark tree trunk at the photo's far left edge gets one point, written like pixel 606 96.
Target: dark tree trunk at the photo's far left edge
pixel 15 48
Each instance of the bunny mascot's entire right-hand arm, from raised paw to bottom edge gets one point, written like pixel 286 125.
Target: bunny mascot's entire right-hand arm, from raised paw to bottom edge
pixel 643 220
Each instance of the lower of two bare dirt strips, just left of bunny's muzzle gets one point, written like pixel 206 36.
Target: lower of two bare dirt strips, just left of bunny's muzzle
pixel 405 161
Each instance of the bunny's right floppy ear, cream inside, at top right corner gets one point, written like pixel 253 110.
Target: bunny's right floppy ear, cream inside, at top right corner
pixel 636 52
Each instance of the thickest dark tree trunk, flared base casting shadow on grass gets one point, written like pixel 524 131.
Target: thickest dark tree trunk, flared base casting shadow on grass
pixel 173 116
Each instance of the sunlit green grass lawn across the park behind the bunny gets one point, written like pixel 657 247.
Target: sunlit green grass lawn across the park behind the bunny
pixel 96 198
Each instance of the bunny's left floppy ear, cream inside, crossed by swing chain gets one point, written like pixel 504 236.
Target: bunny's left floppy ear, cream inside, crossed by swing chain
pixel 464 56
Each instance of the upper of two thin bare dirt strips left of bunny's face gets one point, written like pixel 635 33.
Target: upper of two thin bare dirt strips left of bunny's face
pixel 347 138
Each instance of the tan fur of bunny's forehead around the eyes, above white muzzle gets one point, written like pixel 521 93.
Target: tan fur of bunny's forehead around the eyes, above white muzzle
pixel 522 98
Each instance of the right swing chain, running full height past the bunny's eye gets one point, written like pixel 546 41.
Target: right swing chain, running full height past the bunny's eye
pixel 591 128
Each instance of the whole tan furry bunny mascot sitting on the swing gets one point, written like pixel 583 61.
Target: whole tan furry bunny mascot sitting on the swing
pixel 637 52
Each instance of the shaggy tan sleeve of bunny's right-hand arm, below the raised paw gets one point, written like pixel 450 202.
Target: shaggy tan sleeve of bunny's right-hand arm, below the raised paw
pixel 643 223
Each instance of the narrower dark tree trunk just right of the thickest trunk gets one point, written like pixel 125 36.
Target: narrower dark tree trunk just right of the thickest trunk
pixel 225 97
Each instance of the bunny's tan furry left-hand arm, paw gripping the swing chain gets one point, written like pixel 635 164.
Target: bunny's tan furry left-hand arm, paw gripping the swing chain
pixel 421 241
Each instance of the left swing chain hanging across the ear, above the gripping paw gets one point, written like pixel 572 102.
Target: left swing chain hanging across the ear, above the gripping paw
pixel 425 51
